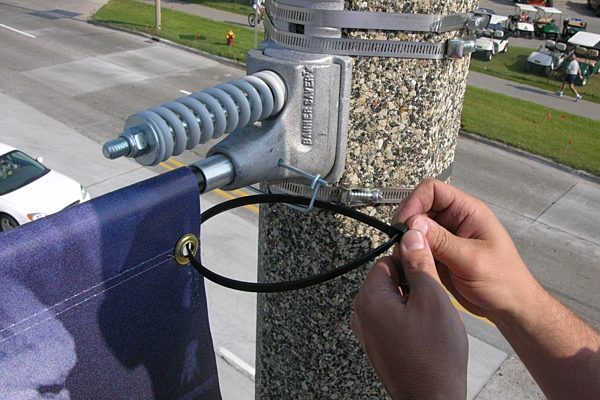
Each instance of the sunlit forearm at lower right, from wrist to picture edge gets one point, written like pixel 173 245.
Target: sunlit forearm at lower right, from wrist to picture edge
pixel 561 352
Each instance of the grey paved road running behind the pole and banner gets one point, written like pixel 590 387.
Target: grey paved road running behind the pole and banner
pixel 69 88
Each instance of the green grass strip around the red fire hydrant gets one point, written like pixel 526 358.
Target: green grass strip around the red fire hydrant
pixel 196 32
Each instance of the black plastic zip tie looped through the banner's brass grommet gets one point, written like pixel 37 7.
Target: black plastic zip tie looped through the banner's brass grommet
pixel 395 233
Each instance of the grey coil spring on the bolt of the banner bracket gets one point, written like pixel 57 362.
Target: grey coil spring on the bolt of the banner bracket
pixel 208 114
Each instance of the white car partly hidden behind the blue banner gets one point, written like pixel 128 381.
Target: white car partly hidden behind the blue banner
pixel 29 190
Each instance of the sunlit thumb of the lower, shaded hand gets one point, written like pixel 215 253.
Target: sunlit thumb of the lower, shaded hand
pixel 417 260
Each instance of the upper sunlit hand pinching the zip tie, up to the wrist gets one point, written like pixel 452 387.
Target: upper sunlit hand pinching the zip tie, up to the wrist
pixel 478 261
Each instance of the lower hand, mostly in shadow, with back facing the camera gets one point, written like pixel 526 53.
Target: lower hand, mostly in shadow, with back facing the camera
pixel 416 342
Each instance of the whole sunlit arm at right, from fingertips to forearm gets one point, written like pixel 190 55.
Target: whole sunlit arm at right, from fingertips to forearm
pixel 479 263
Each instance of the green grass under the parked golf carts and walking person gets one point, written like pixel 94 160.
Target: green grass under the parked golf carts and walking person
pixel 512 66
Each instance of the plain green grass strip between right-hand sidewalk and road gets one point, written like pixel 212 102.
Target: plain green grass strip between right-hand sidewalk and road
pixel 565 138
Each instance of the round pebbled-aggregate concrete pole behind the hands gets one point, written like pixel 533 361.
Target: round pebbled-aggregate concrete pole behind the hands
pixel 404 123
